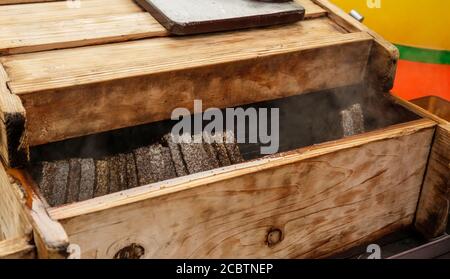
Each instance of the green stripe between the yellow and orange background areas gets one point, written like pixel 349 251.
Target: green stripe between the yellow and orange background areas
pixel 424 55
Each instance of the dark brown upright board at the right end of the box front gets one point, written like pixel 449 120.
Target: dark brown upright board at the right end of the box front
pixel 434 205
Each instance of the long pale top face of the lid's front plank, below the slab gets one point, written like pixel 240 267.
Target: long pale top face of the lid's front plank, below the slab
pixel 51 69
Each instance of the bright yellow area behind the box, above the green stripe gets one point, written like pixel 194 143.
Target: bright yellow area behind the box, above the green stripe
pixel 417 23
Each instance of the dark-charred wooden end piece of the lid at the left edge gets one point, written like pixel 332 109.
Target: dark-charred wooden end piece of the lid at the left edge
pixel 13 148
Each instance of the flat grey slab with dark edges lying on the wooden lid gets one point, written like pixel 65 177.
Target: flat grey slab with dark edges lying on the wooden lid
pixel 185 17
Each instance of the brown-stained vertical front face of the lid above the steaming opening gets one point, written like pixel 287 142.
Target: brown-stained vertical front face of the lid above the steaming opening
pixel 121 103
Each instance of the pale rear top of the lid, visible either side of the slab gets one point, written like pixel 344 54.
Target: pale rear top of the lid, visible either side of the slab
pixel 45 26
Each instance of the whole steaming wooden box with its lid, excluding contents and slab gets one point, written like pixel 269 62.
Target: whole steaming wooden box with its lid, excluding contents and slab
pixel 67 73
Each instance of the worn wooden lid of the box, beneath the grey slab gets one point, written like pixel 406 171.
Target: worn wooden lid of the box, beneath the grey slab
pixel 53 88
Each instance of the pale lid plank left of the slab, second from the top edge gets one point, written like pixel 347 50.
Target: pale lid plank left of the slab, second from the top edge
pixel 23 38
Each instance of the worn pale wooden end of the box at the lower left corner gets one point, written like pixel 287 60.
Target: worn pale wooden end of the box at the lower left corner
pixel 31 231
